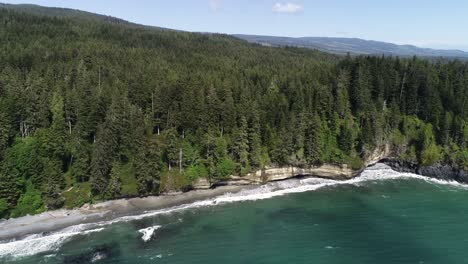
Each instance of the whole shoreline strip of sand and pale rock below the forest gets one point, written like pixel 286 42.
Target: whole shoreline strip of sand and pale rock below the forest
pixel 51 221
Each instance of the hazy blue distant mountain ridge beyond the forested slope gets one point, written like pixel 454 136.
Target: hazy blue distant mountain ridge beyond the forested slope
pixel 353 45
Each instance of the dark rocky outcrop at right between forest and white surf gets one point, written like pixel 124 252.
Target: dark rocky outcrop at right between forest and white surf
pixel 438 171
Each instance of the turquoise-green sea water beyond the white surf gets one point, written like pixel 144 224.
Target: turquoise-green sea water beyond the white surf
pixel 400 220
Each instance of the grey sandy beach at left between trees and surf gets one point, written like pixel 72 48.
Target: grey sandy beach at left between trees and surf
pixel 55 220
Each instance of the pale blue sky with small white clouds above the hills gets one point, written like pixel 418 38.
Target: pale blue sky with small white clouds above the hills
pixel 426 23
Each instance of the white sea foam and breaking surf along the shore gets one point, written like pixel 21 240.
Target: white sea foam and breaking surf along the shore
pixel 35 244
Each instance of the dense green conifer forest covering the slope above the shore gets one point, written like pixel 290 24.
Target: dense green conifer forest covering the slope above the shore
pixel 93 110
